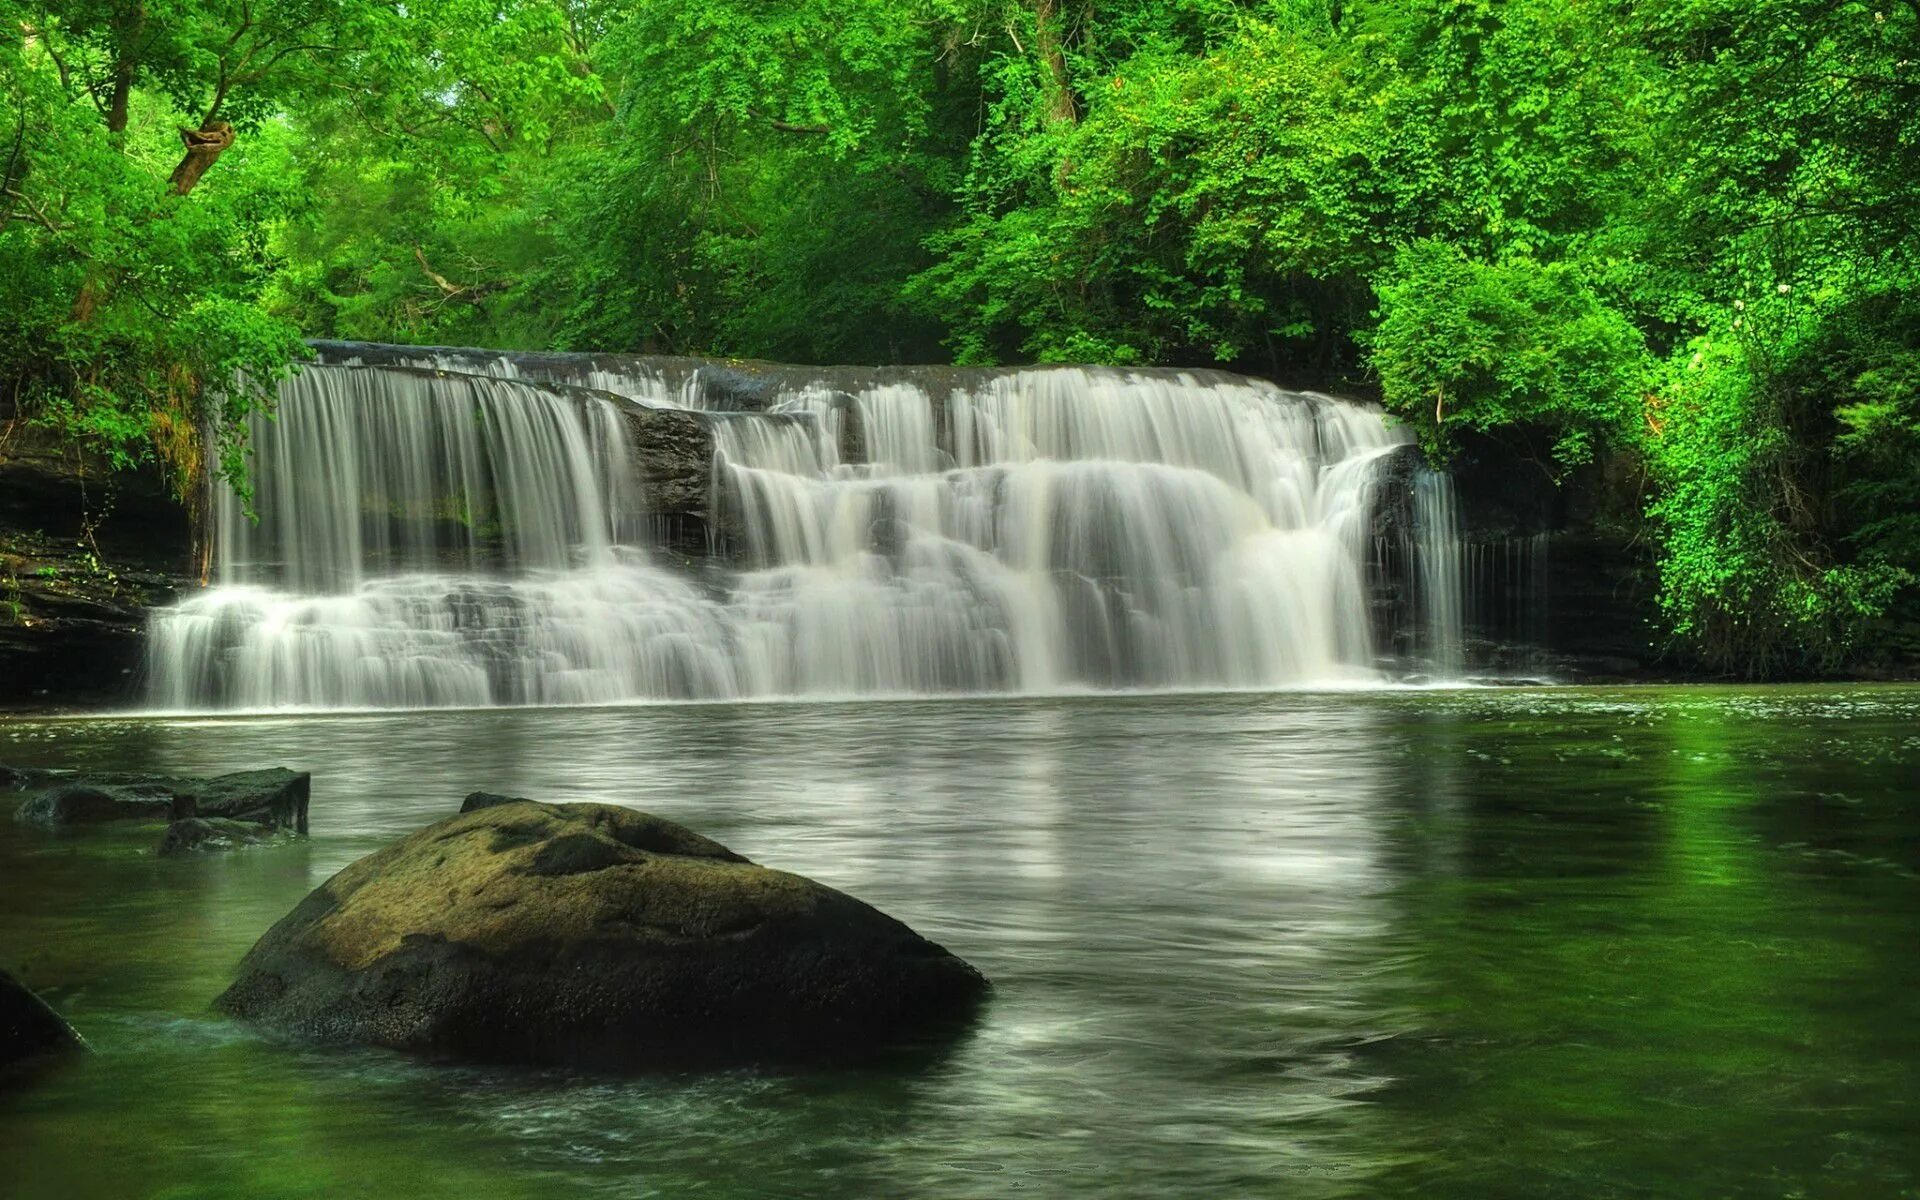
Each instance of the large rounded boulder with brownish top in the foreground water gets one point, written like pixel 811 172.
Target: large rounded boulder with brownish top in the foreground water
pixel 592 936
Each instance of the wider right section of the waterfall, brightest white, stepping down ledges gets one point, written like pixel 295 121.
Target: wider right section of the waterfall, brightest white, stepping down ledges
pixel 1074 529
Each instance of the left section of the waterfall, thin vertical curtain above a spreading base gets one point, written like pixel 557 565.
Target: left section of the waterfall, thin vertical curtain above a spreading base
pixel 435 540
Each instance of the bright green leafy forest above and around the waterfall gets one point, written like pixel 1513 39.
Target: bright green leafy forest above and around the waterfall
pixel 1679 239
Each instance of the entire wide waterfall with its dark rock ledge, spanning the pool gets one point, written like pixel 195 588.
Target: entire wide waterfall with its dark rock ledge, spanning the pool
pixel 468 529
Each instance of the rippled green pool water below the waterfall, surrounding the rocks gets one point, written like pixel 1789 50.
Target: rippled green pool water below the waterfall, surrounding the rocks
pixel 1435 944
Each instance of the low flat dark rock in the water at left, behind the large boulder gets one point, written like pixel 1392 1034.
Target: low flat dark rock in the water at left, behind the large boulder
pixel 276 798
